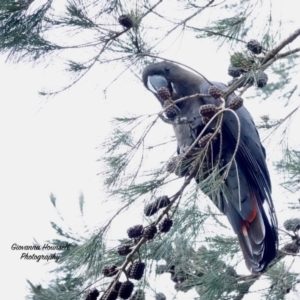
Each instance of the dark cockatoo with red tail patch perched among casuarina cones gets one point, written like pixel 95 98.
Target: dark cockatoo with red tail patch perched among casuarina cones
pixel 247 202
